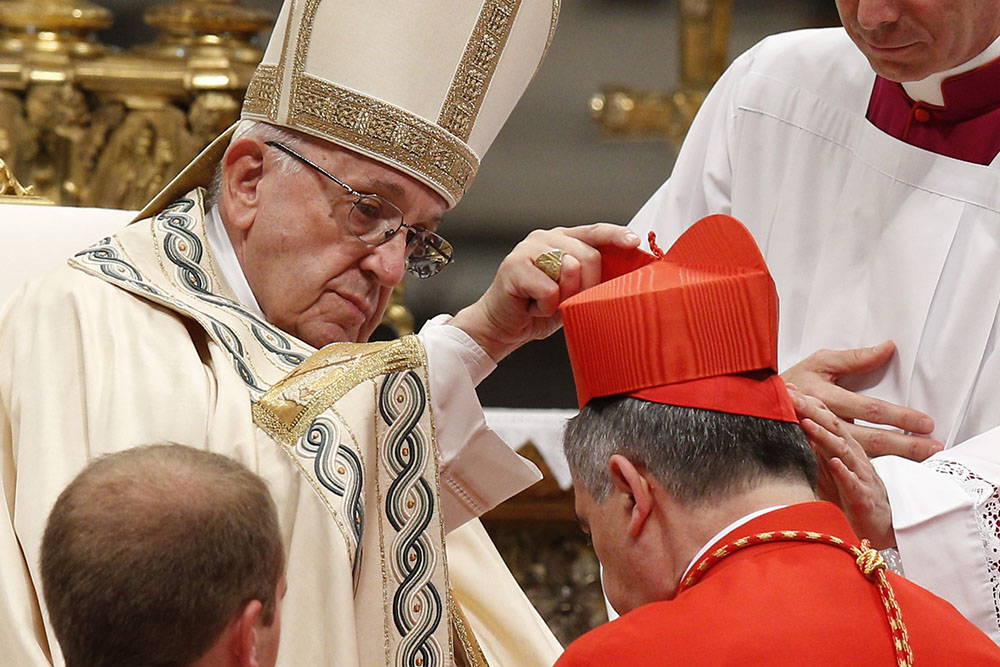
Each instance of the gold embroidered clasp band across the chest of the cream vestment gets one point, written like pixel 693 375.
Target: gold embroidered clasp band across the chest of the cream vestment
pixel 285 411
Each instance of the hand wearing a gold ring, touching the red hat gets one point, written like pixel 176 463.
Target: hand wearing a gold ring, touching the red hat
pixel 522 303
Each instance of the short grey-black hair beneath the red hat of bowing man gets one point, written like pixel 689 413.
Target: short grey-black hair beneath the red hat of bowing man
pixel 698 455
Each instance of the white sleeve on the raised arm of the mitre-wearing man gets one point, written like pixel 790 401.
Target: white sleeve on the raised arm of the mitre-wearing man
pixel 478 469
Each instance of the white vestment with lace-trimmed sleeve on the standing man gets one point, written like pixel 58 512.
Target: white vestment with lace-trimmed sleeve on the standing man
pixel 868 238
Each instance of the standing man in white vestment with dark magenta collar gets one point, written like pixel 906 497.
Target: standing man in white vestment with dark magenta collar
pixel 864 161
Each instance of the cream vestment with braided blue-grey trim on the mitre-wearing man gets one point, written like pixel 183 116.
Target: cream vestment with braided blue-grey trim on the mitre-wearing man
pixel 367 473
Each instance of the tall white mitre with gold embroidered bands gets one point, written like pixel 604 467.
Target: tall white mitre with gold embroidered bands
pixel 423 87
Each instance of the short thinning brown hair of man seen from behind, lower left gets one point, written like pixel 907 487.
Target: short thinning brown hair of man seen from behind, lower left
pixel 150 552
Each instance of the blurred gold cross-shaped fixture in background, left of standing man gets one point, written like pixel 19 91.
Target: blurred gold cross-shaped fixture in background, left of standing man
pixel 626 112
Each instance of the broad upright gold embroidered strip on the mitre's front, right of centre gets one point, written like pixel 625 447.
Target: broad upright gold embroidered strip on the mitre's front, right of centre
pixel 477 67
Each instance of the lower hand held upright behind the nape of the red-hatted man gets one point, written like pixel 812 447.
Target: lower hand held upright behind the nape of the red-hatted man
pixel 846 476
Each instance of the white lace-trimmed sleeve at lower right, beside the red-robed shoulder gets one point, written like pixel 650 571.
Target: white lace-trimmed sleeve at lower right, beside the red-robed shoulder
pixel 946 516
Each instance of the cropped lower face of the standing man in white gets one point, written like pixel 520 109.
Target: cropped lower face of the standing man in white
pixel 908 40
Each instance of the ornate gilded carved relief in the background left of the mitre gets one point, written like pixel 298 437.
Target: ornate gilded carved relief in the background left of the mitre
pixel 94 127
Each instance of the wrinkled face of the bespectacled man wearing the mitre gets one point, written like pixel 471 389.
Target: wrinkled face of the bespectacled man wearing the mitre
pixel 310 275
